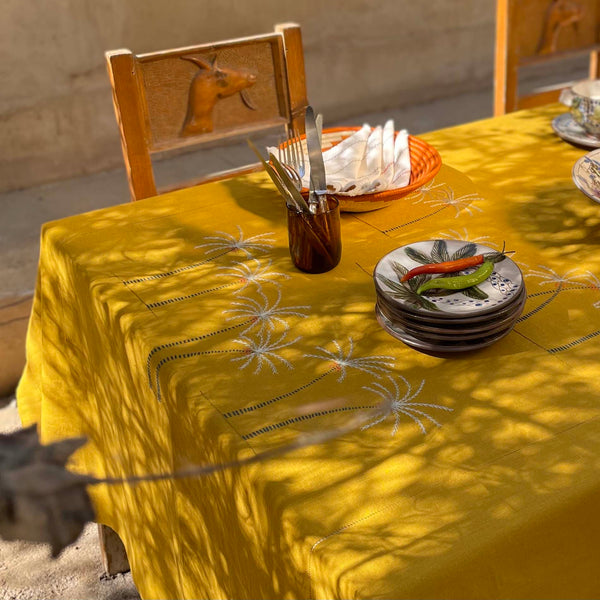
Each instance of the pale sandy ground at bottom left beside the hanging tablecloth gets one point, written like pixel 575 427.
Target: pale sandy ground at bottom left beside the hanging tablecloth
pixel 28 573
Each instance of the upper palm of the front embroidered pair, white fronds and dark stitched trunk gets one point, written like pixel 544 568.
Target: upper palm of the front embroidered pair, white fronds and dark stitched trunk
pixel 342 361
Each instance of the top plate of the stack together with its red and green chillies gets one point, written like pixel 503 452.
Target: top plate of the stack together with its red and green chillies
pixel 472 297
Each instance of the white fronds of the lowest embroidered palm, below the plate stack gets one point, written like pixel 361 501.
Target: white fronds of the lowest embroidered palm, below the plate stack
pixel 393 404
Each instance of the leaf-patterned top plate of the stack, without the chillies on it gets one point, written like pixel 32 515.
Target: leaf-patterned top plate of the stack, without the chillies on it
pixel 501 287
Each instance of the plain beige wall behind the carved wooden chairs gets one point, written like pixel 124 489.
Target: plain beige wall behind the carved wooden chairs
pixel 56 116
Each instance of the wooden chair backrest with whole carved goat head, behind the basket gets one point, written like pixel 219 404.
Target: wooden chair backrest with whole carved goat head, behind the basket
pixel 197 94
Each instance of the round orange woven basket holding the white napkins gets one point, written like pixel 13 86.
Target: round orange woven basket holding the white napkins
pixel 425 162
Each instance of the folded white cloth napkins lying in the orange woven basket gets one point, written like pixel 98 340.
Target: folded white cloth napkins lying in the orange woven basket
pixel 369 161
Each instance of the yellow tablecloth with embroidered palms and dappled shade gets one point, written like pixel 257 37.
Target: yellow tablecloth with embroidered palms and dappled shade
pixel 175 331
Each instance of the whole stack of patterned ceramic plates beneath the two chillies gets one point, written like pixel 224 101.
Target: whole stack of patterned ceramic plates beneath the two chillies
pixel 453 321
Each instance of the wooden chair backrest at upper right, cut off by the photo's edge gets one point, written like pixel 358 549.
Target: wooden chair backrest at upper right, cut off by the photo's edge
pixel 530 32
